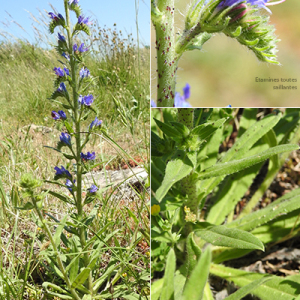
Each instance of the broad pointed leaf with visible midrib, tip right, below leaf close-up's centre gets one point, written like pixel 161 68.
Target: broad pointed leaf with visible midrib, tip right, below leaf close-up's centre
pixel 222 236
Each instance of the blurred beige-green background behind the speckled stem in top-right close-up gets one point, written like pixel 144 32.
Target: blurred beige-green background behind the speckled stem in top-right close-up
pixel 224 71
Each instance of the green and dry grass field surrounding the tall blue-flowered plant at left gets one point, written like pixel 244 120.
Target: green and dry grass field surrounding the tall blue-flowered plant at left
pixel 121 82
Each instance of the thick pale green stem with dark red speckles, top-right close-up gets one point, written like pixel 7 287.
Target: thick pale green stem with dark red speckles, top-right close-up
pixel 167 60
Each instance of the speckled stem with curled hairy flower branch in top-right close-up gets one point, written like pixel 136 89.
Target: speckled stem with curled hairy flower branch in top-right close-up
pixel 237 19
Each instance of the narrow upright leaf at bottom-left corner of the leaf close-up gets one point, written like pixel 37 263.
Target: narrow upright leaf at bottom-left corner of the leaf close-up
pixel 167 292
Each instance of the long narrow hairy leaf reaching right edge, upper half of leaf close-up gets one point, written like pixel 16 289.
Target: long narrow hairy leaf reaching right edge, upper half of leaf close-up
pixel 227 168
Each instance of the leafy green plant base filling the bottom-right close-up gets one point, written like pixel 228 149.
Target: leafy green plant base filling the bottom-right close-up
pixel 195 224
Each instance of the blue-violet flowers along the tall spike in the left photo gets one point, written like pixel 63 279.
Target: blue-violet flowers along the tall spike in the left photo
pixel 61 91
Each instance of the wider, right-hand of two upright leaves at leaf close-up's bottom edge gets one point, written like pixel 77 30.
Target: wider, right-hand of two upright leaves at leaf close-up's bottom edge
pixel 195 285
